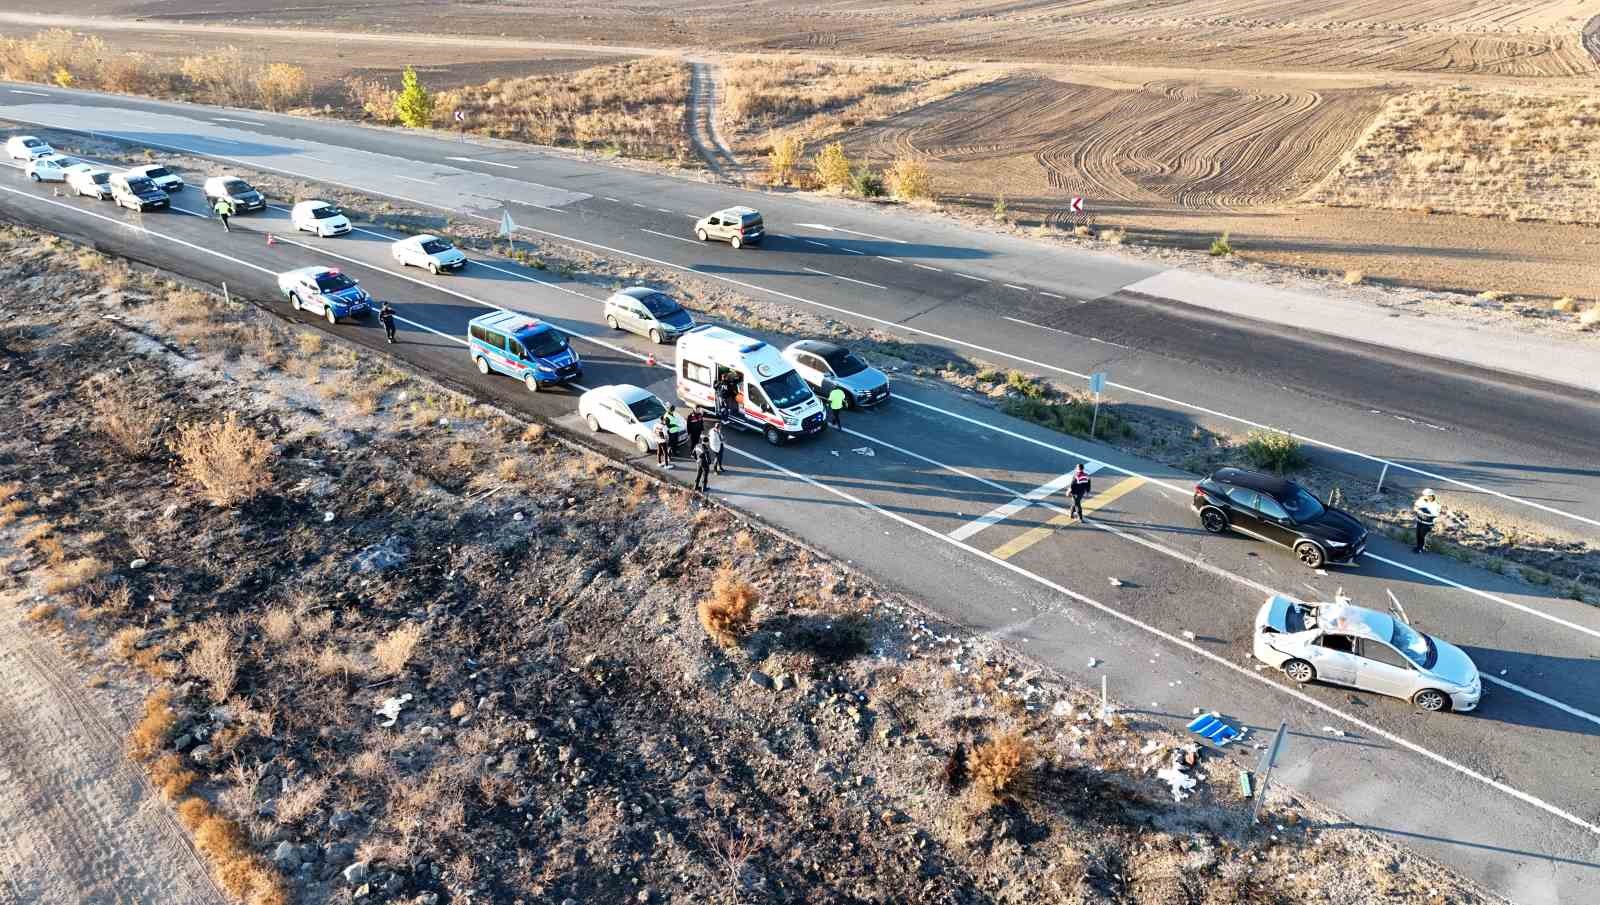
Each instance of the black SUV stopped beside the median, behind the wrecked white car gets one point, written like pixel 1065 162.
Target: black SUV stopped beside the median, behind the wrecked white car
pixel 1282 512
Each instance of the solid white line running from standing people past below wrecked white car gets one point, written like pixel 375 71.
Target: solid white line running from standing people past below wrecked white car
pixel 1190 647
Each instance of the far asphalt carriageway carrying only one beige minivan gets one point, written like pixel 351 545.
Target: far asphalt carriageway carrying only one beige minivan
pixel 1511 441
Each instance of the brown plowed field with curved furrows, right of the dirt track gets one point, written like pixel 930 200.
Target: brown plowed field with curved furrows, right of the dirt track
pixel 1167 145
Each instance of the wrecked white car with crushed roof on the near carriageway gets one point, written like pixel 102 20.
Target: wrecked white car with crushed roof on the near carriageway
pixel 1350 645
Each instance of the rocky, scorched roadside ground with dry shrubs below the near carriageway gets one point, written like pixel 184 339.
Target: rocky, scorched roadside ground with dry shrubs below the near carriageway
pixel 406 648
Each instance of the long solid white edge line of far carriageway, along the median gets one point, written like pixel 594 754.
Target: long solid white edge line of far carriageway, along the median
pixel 892 325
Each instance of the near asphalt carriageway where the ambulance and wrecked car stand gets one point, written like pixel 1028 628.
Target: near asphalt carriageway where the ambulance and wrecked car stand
pixel 940 498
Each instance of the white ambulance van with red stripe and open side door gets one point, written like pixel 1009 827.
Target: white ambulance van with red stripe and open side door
pixel 746 383
